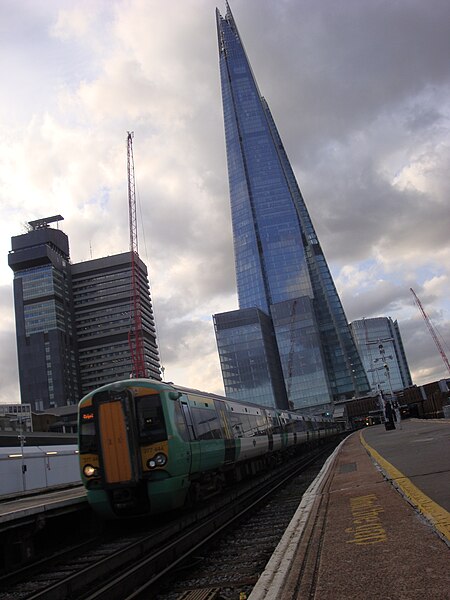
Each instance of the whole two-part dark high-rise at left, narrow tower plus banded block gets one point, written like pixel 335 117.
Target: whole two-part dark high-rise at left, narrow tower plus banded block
pixel 73 320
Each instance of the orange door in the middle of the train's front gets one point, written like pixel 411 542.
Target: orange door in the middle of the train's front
pixel 118 460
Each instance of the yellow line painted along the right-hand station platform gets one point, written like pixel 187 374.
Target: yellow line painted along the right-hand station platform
pixel 436 514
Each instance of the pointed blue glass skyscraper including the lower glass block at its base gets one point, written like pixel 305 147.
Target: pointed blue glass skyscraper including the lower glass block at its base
pixel 297 338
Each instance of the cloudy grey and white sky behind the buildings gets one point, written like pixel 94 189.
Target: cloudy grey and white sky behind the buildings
pixel 360 92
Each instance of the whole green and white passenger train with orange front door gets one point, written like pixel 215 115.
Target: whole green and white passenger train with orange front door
pixel 148 447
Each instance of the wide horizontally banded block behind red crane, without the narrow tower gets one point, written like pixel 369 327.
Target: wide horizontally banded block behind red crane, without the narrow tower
pixel 101 299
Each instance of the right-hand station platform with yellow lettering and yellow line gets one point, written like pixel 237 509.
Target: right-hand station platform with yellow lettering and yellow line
pixel 375 524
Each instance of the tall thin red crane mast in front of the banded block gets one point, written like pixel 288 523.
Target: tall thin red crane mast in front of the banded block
pixel 135 335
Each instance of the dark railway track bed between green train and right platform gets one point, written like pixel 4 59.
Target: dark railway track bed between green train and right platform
pixel 132 566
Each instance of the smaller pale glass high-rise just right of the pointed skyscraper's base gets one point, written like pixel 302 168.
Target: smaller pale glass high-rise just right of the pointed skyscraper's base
pixel 381 349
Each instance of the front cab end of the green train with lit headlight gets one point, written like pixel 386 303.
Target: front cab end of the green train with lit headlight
pixel 130 459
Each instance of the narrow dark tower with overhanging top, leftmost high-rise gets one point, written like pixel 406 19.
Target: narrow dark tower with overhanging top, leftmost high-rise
pixel 46 342
